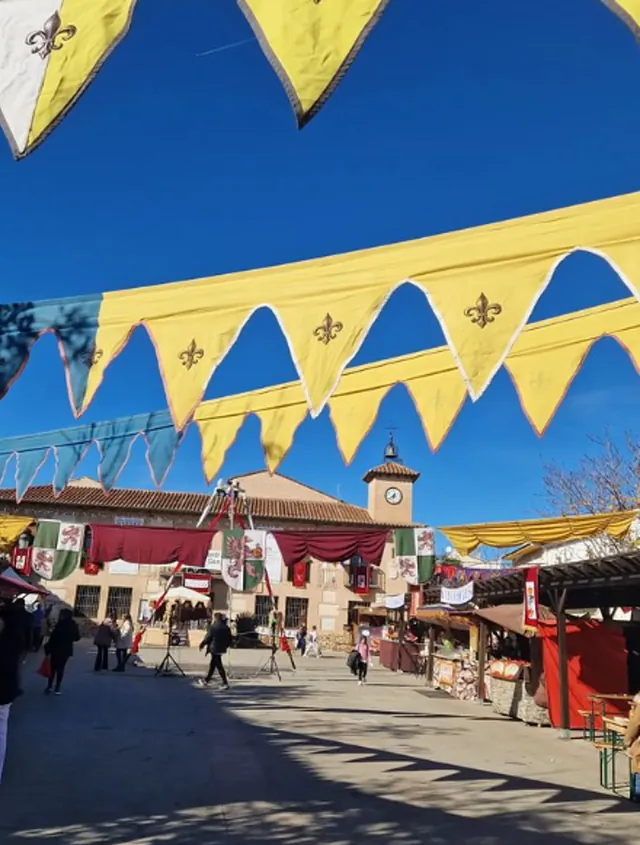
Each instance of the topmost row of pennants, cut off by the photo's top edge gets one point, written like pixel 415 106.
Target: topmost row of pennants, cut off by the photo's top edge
pixel 52 50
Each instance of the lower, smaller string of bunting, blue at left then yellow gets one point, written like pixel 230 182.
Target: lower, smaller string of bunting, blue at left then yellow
pixel 542 364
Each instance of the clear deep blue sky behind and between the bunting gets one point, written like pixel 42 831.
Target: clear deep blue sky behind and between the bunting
pixel 174 166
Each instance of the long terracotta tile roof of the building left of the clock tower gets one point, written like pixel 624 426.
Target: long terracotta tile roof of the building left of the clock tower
pixel 190 503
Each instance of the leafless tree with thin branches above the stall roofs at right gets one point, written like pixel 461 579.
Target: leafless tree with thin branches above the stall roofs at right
pixel 607 478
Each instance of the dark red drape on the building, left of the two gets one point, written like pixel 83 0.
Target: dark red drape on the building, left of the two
pixel 156 546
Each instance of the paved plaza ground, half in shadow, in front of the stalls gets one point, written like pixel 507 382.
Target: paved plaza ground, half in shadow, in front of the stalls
pixel 313 759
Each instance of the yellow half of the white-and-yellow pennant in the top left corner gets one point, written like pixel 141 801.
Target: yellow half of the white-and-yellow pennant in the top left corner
pixel 75 41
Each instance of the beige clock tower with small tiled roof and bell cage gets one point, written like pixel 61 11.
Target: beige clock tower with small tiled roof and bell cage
pixel 391 489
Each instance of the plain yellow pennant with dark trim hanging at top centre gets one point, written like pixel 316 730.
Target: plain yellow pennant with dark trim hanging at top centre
pixel 311 43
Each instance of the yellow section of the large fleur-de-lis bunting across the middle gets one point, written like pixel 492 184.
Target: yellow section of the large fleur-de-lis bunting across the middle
pixel 482 284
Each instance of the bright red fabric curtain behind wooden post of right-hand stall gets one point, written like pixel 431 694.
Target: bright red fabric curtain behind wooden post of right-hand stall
pixel 597 658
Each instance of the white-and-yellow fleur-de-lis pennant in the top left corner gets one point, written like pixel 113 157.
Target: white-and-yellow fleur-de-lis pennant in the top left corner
pixel 51 51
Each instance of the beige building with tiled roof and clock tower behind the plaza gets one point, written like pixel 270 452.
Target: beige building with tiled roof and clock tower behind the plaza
pixel 328 599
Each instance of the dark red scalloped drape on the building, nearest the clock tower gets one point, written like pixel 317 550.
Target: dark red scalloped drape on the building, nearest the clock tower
pixel 331 546
